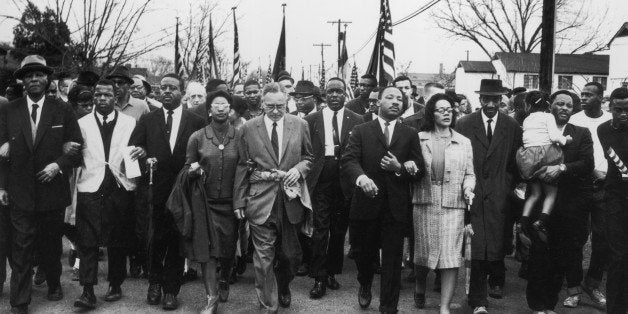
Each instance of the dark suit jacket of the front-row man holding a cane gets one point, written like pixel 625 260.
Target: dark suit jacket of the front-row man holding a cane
pixel 150 134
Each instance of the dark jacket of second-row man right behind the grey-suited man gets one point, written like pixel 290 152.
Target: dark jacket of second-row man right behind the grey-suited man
pixel 317 136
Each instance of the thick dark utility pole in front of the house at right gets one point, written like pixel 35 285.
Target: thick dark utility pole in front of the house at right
pixel 546 72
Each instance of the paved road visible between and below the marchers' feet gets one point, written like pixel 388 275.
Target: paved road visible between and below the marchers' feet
pixel 243 298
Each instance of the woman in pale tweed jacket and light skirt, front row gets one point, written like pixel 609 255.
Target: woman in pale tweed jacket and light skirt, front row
pixel 440 199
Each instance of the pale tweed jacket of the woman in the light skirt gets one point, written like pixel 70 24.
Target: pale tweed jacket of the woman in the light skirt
pixel 458 174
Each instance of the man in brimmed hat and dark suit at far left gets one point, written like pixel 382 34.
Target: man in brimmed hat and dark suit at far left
pixel 35 176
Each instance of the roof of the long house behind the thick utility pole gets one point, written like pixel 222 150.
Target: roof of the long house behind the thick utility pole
pixel 564 63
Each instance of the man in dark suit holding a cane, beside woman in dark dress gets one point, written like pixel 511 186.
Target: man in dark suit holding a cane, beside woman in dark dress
pixel 163 135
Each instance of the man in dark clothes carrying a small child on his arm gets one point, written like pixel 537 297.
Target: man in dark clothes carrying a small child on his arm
pixel 560 258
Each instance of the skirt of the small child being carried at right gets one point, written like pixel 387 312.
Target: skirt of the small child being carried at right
pixel 531 159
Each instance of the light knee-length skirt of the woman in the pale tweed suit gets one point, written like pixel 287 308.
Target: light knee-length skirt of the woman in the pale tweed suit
pixel 438 234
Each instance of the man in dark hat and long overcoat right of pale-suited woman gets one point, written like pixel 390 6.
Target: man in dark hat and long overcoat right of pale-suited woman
pixel 495 138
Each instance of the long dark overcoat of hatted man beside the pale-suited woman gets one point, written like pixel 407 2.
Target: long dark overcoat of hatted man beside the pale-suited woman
pixel 496 173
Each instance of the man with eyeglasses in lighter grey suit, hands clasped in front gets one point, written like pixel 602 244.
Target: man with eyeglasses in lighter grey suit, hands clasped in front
pixel 275 159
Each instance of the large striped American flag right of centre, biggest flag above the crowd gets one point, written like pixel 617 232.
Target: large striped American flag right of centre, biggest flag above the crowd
pixel 383 57
